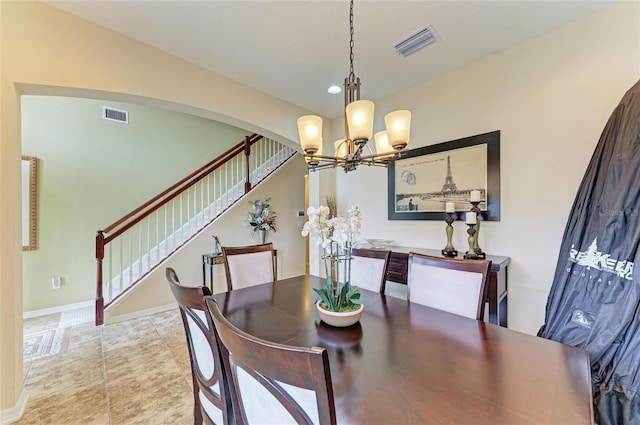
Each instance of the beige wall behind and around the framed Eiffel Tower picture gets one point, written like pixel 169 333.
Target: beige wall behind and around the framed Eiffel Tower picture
pixel 550 97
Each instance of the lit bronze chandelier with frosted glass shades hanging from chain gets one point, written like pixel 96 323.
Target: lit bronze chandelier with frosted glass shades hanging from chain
pixel 358 122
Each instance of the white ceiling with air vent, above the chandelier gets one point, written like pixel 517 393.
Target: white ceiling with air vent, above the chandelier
pixel 295 49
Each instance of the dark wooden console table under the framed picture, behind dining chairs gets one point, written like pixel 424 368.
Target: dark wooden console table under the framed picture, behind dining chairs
pixel 498 279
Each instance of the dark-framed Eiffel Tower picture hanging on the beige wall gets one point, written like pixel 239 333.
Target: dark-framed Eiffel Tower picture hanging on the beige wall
pixel 423 180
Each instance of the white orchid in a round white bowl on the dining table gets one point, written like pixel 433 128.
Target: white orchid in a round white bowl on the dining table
pixel 339 302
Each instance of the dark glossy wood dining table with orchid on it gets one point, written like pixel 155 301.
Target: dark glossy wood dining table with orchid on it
pixel 405 363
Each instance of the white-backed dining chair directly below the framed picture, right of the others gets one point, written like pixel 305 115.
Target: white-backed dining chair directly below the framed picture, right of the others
pixel 453 285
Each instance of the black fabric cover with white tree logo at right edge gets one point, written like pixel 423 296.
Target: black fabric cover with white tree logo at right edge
pixel 594 298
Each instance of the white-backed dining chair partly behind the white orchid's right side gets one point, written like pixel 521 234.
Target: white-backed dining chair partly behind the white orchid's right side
pixel 369 268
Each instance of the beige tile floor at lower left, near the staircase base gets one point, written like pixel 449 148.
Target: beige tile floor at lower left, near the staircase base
pixel 132 372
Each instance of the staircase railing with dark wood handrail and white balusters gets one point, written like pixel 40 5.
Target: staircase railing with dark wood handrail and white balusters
pixel 135 245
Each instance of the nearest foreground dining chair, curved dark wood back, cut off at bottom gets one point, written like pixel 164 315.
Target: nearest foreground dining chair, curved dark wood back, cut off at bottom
pixel 274 382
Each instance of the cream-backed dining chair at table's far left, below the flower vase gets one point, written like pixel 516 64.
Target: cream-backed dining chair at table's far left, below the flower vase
pixel 248 265
